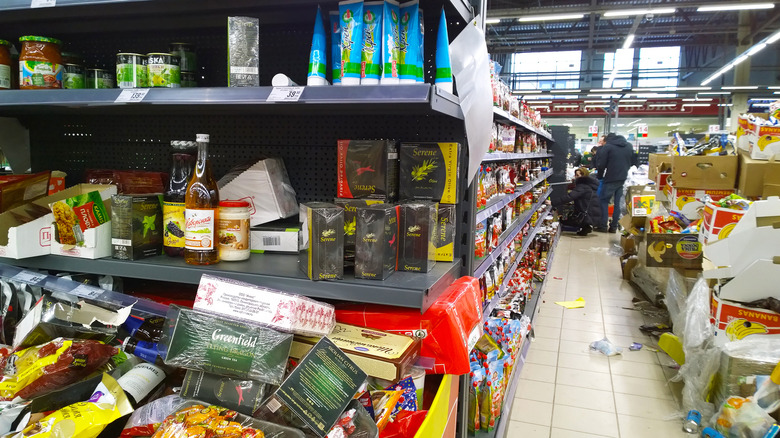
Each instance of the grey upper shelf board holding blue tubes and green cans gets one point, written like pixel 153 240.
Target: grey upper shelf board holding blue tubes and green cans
pixel 397 99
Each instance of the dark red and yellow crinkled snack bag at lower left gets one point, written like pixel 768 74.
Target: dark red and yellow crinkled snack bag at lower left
pixel 37 370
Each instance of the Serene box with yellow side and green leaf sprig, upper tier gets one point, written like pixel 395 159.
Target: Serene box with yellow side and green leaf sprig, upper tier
pixel 429 171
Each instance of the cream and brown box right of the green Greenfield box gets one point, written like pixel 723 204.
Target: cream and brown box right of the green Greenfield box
pixel 379 354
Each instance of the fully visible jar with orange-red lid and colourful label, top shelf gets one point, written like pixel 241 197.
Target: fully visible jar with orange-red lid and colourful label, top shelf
pixel 40 63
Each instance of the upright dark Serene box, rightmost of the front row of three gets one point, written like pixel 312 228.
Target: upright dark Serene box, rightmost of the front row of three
pixel 417 252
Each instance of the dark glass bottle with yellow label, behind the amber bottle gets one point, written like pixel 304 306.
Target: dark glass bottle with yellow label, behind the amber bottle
pixel 183 161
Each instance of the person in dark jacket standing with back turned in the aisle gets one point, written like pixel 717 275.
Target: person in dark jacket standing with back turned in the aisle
pixel 612 164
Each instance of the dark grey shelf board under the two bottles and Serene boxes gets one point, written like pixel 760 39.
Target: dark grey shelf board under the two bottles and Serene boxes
pixel 278 271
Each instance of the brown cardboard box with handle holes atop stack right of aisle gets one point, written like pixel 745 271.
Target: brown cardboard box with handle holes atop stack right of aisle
pixel 705 172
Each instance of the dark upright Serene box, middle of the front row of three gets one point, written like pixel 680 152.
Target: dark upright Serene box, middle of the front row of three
pixel 376 245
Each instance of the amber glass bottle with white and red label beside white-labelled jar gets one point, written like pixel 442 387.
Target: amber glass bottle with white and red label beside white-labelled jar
pixel 201 213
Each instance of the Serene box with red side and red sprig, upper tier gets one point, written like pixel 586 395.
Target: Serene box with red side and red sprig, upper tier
pixel 367 169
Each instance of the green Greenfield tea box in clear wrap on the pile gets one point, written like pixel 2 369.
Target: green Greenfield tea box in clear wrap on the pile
pixel 217 344
